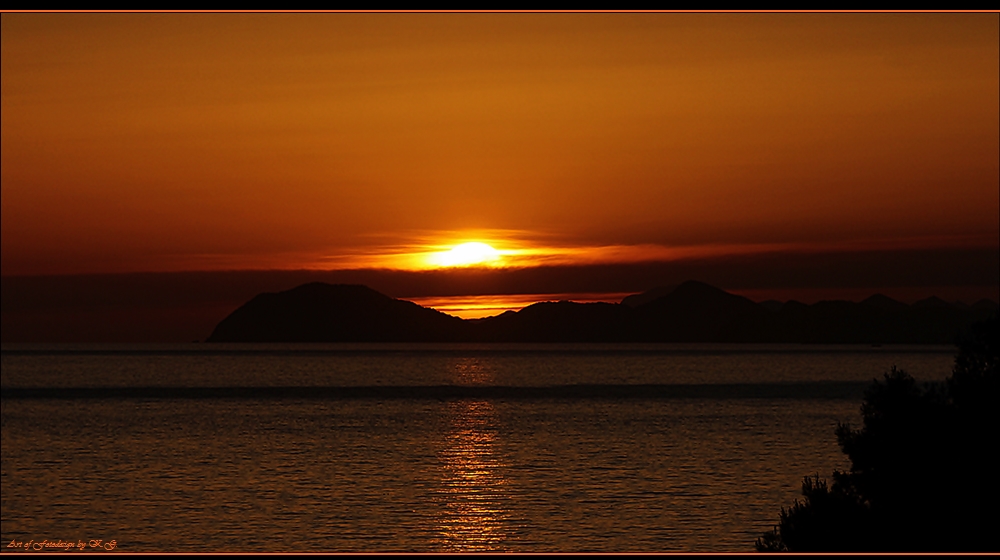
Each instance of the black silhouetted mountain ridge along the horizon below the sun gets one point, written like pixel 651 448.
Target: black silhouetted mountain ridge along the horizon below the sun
pixel 690 312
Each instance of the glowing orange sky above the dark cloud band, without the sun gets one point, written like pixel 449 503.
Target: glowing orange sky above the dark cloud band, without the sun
pixel 169 142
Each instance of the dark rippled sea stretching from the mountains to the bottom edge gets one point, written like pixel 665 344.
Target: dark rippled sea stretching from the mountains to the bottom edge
pixel 423 447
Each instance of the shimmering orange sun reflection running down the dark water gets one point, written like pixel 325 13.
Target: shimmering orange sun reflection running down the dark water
pixel 473 517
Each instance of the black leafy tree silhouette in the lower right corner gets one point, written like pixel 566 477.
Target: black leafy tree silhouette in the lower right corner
pixel 923 466
